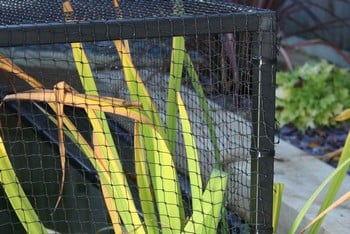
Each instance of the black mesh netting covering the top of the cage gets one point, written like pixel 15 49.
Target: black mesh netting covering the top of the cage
pixel 33 12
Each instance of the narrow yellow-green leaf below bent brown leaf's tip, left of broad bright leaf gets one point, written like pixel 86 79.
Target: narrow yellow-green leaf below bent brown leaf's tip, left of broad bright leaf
pixel 143 182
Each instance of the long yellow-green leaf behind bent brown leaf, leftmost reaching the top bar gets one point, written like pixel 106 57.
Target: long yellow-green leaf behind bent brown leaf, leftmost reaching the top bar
pixel 103 138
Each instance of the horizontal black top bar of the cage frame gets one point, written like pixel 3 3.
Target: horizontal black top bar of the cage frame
pixel 97 30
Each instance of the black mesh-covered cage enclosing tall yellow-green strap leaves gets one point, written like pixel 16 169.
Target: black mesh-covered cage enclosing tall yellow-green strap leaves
pixel 136 116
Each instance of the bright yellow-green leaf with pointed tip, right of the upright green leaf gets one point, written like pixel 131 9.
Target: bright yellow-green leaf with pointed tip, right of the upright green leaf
pixel 194 171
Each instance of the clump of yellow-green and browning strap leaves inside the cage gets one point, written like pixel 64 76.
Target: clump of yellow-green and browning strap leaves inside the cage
pixel 159 190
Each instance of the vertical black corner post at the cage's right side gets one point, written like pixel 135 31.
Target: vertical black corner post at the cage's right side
pixel 263 119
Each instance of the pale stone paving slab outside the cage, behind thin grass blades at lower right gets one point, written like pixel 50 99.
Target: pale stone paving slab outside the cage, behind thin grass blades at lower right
pixel 302 174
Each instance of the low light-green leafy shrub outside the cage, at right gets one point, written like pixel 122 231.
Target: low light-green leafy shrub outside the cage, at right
pixel 312 95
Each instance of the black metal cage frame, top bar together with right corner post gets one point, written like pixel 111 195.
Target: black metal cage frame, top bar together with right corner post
pixel 262 24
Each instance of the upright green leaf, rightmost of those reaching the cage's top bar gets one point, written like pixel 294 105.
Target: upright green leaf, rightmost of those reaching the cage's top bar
pixel 175 77
